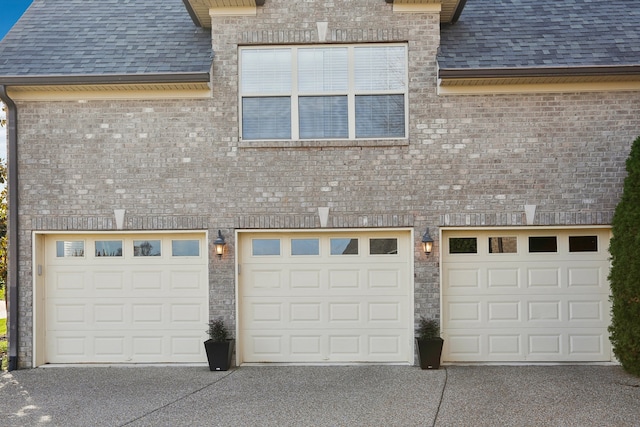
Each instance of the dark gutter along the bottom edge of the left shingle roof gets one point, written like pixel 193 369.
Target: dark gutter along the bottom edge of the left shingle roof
pixel 105 79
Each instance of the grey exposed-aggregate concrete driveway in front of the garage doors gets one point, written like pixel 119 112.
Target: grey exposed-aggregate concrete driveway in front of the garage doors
pixel 321 396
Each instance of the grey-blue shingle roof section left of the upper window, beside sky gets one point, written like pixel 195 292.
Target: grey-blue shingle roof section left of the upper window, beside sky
pixel 105 37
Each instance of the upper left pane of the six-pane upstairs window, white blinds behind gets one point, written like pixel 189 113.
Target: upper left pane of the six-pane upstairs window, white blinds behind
pixel 266 71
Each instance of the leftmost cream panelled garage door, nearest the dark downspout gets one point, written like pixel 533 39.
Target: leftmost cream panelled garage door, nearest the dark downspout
pixel 126 298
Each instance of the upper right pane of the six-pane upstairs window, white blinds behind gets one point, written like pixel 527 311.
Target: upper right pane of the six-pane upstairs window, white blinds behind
pixel 380 68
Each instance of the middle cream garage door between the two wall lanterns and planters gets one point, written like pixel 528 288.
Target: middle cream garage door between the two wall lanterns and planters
pixel 330 297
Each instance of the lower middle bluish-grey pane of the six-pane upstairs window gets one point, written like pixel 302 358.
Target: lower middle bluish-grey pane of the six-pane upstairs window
pixel 323 117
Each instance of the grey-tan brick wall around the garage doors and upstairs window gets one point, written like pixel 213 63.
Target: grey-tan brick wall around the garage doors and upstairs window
pixel 468 160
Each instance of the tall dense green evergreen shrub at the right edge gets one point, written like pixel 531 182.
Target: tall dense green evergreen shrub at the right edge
pixel 624 277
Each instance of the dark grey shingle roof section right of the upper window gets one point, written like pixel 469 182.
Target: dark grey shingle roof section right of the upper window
pixel 542 33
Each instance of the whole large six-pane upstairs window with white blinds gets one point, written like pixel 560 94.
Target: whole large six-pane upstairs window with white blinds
pixel 323 92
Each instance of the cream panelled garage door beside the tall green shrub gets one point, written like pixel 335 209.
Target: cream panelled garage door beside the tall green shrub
pixel 535 295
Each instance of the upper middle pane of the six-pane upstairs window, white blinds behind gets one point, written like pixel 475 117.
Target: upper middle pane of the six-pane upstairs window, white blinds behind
pixel 323 70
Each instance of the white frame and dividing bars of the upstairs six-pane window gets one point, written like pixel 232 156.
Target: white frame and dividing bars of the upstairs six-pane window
pixel 351 94
